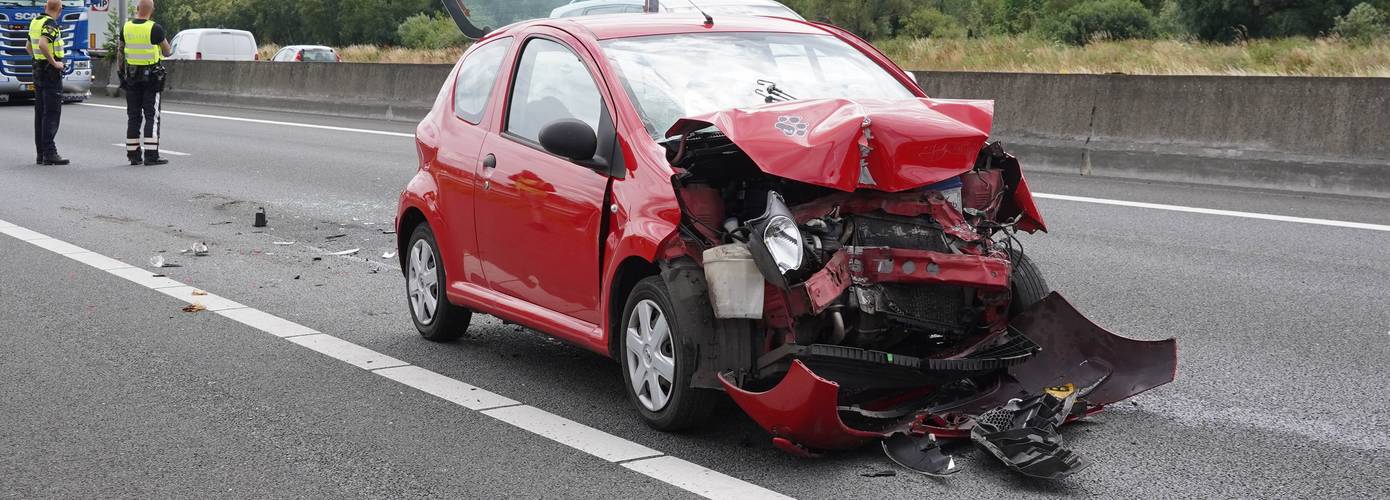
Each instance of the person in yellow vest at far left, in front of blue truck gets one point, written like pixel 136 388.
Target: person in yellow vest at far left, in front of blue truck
pixel 48 49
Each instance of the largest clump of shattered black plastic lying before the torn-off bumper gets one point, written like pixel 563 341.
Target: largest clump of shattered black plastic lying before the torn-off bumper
pixel 1024 434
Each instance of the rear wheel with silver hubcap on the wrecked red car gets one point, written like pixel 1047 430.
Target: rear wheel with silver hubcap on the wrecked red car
pixel 426 283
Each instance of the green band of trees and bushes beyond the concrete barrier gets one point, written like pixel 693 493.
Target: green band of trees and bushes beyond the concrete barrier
pixel 423 24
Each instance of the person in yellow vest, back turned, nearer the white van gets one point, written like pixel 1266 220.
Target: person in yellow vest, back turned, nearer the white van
pixel 144 47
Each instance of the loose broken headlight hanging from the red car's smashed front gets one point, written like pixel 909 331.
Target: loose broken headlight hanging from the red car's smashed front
pixel 776 242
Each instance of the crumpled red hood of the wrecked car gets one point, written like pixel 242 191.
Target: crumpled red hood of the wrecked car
pixel 911 142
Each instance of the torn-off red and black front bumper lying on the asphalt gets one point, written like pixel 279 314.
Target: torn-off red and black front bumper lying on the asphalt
pixel 1058 366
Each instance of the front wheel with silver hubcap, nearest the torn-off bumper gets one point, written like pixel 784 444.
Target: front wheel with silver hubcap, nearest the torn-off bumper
pixel 660 360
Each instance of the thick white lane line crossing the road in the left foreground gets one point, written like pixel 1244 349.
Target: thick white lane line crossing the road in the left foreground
pixel 636 458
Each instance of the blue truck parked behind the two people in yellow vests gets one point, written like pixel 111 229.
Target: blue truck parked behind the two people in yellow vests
pixel 17 66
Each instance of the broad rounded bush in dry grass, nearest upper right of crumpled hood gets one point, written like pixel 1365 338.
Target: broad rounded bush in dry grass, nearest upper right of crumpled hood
pixel 1114 20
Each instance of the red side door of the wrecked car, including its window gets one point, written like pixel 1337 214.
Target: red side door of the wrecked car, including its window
pixel 539 215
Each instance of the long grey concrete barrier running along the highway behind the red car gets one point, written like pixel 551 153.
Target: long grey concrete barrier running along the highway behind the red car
pixel 1324 135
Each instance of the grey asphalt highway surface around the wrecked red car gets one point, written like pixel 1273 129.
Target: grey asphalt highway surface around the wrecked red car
pixel 109 390
